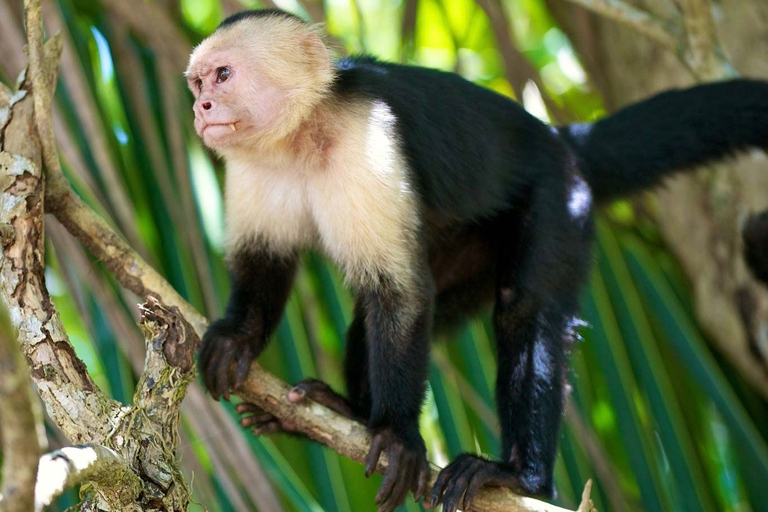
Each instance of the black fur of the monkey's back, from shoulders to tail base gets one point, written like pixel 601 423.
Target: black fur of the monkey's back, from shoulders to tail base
pixel 472 152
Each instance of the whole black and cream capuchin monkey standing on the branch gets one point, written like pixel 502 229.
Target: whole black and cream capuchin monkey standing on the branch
pixel 435 197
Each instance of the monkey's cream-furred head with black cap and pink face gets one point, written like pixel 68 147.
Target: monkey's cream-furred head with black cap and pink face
pixel 257 78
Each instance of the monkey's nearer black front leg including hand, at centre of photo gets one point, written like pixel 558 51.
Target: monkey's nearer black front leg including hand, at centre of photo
pixel 398 325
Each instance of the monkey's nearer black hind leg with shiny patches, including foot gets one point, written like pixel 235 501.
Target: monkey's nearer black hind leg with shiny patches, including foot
pixel 540 273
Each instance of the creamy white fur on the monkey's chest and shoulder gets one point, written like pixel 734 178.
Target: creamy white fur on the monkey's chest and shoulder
pixel 357 207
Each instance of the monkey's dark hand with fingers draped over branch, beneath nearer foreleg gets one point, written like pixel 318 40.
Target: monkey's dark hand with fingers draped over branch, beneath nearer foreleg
pixel 408 469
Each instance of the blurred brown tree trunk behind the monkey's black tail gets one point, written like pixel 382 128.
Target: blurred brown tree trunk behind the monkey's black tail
pixel 678 44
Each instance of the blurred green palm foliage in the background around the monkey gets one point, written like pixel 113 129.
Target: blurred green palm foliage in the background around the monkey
pixel 656 419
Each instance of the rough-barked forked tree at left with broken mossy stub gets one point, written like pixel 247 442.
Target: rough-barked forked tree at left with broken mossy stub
pixel 130 457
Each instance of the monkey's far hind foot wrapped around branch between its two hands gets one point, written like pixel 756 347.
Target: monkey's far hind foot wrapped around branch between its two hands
pixel 262 422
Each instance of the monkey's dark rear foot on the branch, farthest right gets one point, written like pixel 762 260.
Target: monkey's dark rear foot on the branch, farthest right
pixel 458 482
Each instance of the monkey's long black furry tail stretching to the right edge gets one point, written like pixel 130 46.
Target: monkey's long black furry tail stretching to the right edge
pixel 635 148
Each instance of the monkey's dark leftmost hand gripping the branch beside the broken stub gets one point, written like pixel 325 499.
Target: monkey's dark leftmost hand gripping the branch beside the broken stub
pixel 226 355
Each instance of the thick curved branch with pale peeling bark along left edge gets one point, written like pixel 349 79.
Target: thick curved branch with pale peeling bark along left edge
pixel 60 377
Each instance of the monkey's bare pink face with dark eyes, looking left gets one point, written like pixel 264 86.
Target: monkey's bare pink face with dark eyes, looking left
pixel 233 104
